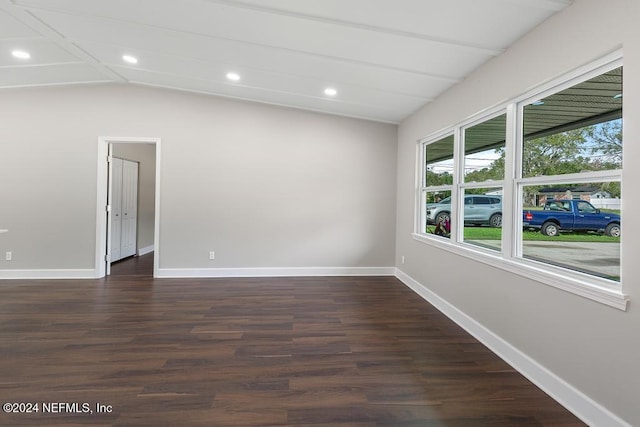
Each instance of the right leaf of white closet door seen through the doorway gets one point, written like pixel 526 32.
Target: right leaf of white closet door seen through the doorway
pixel 129 208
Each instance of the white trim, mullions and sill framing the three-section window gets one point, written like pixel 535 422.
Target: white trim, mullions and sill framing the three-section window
pixel 589 286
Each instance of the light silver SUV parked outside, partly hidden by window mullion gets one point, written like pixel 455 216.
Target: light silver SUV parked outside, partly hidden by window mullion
pixel 478 209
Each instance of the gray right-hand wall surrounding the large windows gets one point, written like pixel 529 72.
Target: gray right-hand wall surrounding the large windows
pixel 590 346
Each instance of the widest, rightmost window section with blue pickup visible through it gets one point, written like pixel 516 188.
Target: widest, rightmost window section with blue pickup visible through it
pixel 571 167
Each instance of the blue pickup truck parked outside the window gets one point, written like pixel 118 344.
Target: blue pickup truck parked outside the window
pixel 571 215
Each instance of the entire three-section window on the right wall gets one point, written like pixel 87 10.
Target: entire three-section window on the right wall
pixel 537 183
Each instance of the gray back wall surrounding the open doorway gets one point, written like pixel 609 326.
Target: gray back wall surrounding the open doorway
pixel 262 186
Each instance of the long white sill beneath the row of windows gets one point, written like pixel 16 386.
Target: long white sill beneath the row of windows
pixel 591 288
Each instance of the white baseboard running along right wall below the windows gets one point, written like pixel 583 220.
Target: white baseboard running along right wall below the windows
pixel 571 398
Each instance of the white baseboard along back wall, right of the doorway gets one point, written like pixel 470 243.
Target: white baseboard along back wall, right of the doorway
pixel 276 272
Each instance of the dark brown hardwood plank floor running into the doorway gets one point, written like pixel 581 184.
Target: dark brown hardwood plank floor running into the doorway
pixel 326 351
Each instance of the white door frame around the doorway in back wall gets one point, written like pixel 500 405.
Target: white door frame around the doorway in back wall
pixel 104 144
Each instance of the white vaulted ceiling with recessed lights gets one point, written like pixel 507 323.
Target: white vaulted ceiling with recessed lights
pixel 386 58
